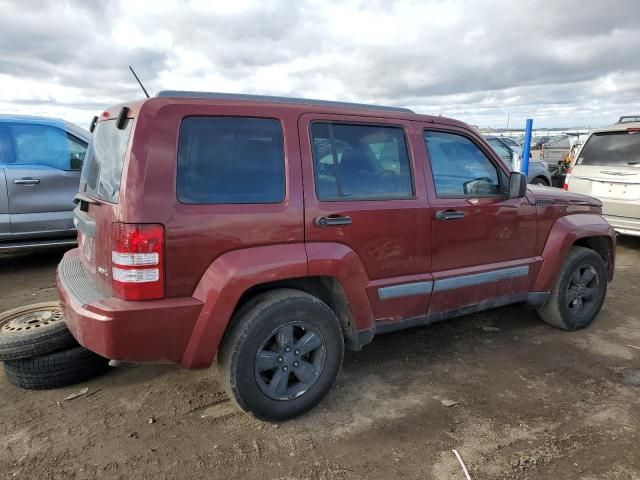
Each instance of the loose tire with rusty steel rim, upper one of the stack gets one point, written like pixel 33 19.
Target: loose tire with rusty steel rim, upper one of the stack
pixel 32 331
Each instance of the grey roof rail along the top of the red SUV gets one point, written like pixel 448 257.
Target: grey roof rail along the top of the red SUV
pixel 268 98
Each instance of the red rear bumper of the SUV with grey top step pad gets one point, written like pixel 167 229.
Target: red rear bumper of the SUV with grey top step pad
pixel 137 331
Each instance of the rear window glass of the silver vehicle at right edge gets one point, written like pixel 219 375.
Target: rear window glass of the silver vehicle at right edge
pixel 611 148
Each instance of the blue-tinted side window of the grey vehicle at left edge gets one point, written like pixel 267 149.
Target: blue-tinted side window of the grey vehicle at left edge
pixel 39 146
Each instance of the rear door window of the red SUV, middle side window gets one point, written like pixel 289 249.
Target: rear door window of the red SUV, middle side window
pixel 360 162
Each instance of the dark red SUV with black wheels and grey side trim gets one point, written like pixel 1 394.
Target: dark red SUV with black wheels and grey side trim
pixel 273 232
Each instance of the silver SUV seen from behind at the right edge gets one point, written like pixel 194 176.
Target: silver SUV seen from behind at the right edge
pixel 608 167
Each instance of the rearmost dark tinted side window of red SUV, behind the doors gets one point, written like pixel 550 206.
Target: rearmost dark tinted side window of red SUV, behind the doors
pixel 227 160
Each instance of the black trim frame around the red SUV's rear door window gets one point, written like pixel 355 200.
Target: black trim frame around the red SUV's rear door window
pixel 330 123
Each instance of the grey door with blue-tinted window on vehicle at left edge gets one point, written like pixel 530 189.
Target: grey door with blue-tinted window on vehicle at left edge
pixel 42 180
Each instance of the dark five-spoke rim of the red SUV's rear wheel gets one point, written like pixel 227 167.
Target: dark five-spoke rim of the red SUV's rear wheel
pixel 290 360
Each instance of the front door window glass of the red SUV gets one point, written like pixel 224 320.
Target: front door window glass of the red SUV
pixel 460 169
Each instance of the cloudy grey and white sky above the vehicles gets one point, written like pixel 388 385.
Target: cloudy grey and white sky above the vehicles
pixel 563 63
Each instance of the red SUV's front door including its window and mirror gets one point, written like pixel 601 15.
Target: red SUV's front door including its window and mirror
pixel 482 243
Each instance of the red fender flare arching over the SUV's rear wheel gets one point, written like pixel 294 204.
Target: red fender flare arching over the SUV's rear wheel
pixel 232 274
